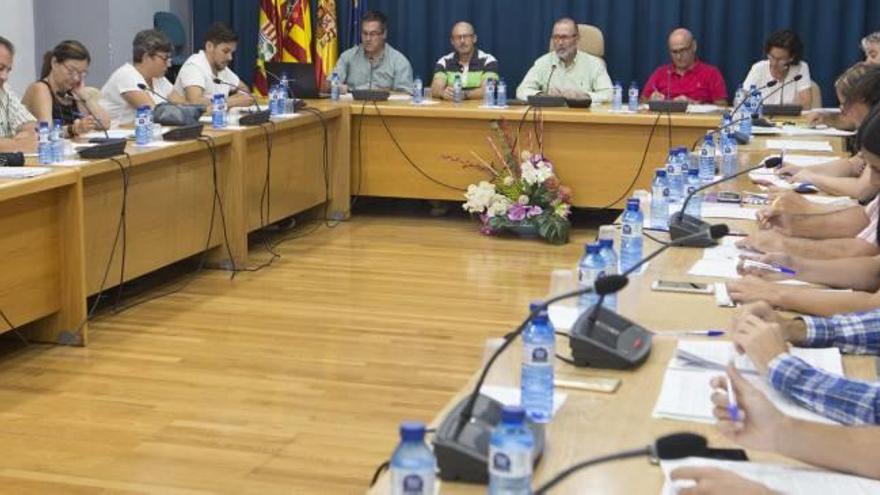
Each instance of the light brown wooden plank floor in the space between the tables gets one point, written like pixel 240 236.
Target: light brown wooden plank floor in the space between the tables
pixel 288 380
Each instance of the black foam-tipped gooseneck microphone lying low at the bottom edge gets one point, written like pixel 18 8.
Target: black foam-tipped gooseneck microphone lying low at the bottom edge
pixel 674 446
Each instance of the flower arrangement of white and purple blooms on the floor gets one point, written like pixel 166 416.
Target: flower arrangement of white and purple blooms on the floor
pixel 522 192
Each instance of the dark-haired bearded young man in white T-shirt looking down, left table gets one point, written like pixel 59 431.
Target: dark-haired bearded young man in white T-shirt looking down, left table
pixel 195 81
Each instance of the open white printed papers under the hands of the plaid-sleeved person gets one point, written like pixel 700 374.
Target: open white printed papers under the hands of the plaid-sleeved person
pixel 686 392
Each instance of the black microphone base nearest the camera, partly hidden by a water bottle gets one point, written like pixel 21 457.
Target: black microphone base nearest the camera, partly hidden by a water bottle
pixel 465 457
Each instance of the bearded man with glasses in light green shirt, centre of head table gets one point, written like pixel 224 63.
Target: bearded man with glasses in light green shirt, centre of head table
pixel 577 75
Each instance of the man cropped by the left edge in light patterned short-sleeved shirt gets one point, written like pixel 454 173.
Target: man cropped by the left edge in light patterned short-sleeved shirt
pixel 17 125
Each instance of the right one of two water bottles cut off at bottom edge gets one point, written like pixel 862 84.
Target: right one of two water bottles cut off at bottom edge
pixel 510 454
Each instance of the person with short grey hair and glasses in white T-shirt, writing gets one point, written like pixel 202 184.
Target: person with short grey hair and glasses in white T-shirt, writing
pixel 121 95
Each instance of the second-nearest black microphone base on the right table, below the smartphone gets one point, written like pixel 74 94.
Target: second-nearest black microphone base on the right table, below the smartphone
pixel 614 342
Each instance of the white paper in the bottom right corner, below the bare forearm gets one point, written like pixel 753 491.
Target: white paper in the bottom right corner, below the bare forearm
pixel 779 478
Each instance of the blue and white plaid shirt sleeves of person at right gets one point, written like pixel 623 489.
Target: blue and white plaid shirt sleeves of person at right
pixel 848 401
